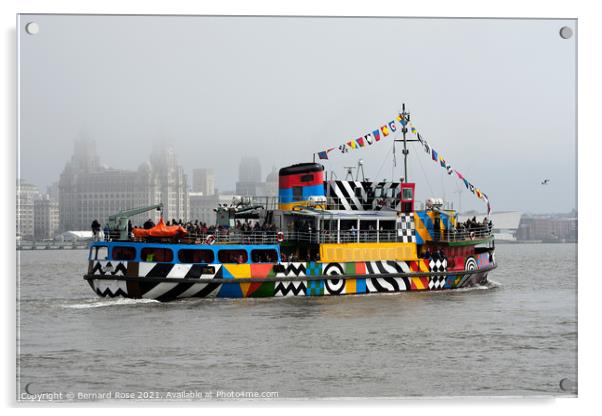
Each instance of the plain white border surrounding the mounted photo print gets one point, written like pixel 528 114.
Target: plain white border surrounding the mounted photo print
pixel 589 92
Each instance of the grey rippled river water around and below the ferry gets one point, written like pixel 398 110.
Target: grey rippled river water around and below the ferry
pixel 518 336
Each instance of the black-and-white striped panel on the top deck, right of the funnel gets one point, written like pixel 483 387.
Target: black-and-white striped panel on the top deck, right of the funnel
pixel 362 196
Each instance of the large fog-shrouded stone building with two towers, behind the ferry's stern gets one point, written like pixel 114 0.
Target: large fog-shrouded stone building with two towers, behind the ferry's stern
pixel 89 190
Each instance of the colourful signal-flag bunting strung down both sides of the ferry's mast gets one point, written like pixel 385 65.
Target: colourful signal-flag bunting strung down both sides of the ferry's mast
pixel 384 131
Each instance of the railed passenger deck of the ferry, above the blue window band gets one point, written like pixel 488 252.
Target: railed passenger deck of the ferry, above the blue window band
pixel 321 227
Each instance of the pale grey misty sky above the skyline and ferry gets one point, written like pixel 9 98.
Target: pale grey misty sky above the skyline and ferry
pixel 495 97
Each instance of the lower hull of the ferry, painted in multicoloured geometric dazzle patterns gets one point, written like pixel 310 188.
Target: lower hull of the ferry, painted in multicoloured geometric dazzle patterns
pixel 166 282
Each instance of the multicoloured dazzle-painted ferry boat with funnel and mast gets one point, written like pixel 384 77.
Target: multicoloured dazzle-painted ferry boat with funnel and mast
pixel 320 237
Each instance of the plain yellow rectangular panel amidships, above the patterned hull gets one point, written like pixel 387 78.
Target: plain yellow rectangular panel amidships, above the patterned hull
pixel 334 253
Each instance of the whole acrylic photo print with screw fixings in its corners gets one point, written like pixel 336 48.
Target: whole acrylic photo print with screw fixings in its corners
pixel 426 246
